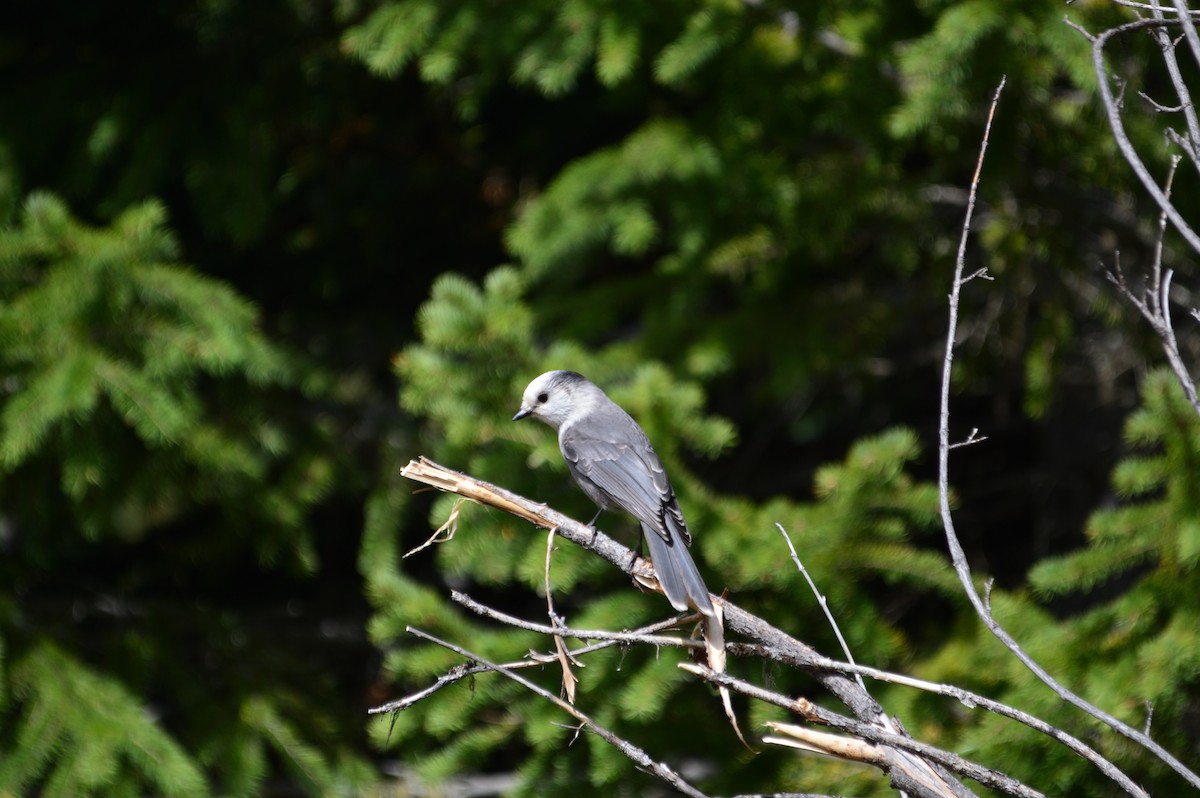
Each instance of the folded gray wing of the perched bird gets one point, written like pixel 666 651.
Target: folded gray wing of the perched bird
pixel 610 455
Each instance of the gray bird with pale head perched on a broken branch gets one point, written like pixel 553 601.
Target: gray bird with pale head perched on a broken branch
pixel 613 460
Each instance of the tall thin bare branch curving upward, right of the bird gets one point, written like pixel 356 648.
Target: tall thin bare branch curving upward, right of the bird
pixel 963 568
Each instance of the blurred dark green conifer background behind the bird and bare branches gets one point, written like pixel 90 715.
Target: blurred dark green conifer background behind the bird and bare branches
pixel 256 257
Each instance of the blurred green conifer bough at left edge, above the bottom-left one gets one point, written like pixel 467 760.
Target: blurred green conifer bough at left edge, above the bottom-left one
pixel 110 349
